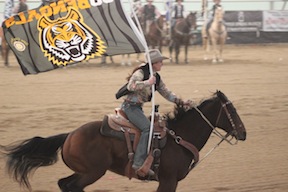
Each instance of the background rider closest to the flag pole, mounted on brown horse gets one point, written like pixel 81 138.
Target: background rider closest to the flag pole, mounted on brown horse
pixel 150 13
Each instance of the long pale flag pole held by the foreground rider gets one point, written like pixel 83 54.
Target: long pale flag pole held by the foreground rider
pixel 151 73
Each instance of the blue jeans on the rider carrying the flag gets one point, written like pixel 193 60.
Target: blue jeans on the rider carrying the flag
pixel 136 116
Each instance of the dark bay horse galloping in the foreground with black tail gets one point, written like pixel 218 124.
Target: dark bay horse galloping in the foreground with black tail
pixel 90 154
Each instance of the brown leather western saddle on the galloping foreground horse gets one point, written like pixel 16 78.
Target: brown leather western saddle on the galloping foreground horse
pixel 117 125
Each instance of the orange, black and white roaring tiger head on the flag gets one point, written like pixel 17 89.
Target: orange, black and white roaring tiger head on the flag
pixel 68 40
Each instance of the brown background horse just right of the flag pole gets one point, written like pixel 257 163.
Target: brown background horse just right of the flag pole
pixel 156 33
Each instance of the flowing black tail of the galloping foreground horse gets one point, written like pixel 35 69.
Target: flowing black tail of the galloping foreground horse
pixel 26 156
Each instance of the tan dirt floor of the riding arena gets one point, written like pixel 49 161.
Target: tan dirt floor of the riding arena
pixel 254 77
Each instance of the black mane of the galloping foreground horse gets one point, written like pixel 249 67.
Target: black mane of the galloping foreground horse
pixel 180 111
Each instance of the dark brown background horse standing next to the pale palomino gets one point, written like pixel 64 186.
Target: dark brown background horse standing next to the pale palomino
pixel 181 35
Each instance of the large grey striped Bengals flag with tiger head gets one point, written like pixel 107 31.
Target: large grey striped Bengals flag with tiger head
pixel 66 32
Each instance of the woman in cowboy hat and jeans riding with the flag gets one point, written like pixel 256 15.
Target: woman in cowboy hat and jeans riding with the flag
pixel 140 92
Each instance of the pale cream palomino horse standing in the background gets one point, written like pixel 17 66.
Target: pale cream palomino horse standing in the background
pixel 217 35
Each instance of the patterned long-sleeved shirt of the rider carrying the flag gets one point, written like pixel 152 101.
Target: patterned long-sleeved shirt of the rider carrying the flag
pixel 141 92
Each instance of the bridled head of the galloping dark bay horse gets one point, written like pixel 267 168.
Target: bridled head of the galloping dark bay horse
pixel 228 118
